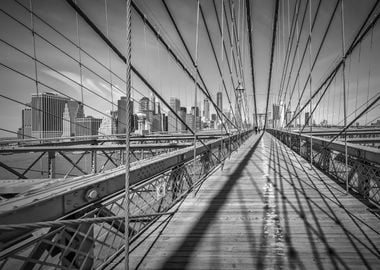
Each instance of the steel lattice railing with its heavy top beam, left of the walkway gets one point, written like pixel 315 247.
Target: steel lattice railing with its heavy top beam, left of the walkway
pixel 90 232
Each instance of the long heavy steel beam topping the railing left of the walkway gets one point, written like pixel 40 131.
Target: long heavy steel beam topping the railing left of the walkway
pixel 55 201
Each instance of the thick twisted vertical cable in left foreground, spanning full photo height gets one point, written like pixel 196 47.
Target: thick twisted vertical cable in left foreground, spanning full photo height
pixel 127 129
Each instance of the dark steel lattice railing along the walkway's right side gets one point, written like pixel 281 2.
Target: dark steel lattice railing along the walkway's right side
pixel 363 162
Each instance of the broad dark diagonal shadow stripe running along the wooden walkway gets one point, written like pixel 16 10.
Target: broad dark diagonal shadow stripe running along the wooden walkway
pixel 200 227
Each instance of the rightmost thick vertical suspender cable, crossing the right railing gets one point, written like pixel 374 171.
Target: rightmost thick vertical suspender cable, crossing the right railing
pixel 344 95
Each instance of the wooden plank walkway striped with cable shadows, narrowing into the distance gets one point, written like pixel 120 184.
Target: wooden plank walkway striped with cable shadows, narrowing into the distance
pixel 268 209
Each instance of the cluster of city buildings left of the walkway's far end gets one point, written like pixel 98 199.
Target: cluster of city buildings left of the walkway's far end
pixel 43 118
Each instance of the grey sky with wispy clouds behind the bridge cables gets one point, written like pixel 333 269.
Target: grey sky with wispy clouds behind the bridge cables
pixel 58 69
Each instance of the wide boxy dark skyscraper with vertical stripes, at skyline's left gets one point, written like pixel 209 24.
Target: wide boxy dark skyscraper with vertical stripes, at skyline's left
pixel 47 113
